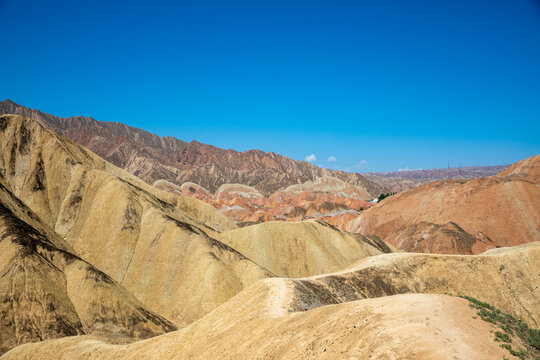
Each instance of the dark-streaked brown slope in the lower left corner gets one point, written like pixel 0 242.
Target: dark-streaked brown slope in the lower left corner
pixel 47 292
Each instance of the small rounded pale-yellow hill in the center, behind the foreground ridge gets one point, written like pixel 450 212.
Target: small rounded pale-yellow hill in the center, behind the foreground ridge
pixel 299 249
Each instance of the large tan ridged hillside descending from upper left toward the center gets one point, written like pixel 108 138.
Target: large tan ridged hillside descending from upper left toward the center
pixel 155 244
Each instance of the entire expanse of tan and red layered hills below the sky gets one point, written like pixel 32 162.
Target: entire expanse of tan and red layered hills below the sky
pixel 97 263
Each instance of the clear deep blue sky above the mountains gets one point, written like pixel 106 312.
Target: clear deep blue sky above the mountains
pixel 375 85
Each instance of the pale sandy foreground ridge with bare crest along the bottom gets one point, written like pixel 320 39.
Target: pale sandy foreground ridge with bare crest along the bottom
pixel 349 314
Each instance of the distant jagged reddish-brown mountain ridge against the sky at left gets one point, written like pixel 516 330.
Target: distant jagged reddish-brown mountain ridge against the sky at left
pixel 152 158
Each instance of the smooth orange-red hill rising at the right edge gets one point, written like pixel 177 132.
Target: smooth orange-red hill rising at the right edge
pixel 504 207
